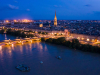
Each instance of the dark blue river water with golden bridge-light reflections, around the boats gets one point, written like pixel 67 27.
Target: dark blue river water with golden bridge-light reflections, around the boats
pixel 72 63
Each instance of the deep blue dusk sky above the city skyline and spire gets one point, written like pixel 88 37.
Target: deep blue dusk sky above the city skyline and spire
pixel 45 9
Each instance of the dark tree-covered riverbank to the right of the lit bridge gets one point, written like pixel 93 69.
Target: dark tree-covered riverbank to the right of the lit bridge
pixel 74 44
